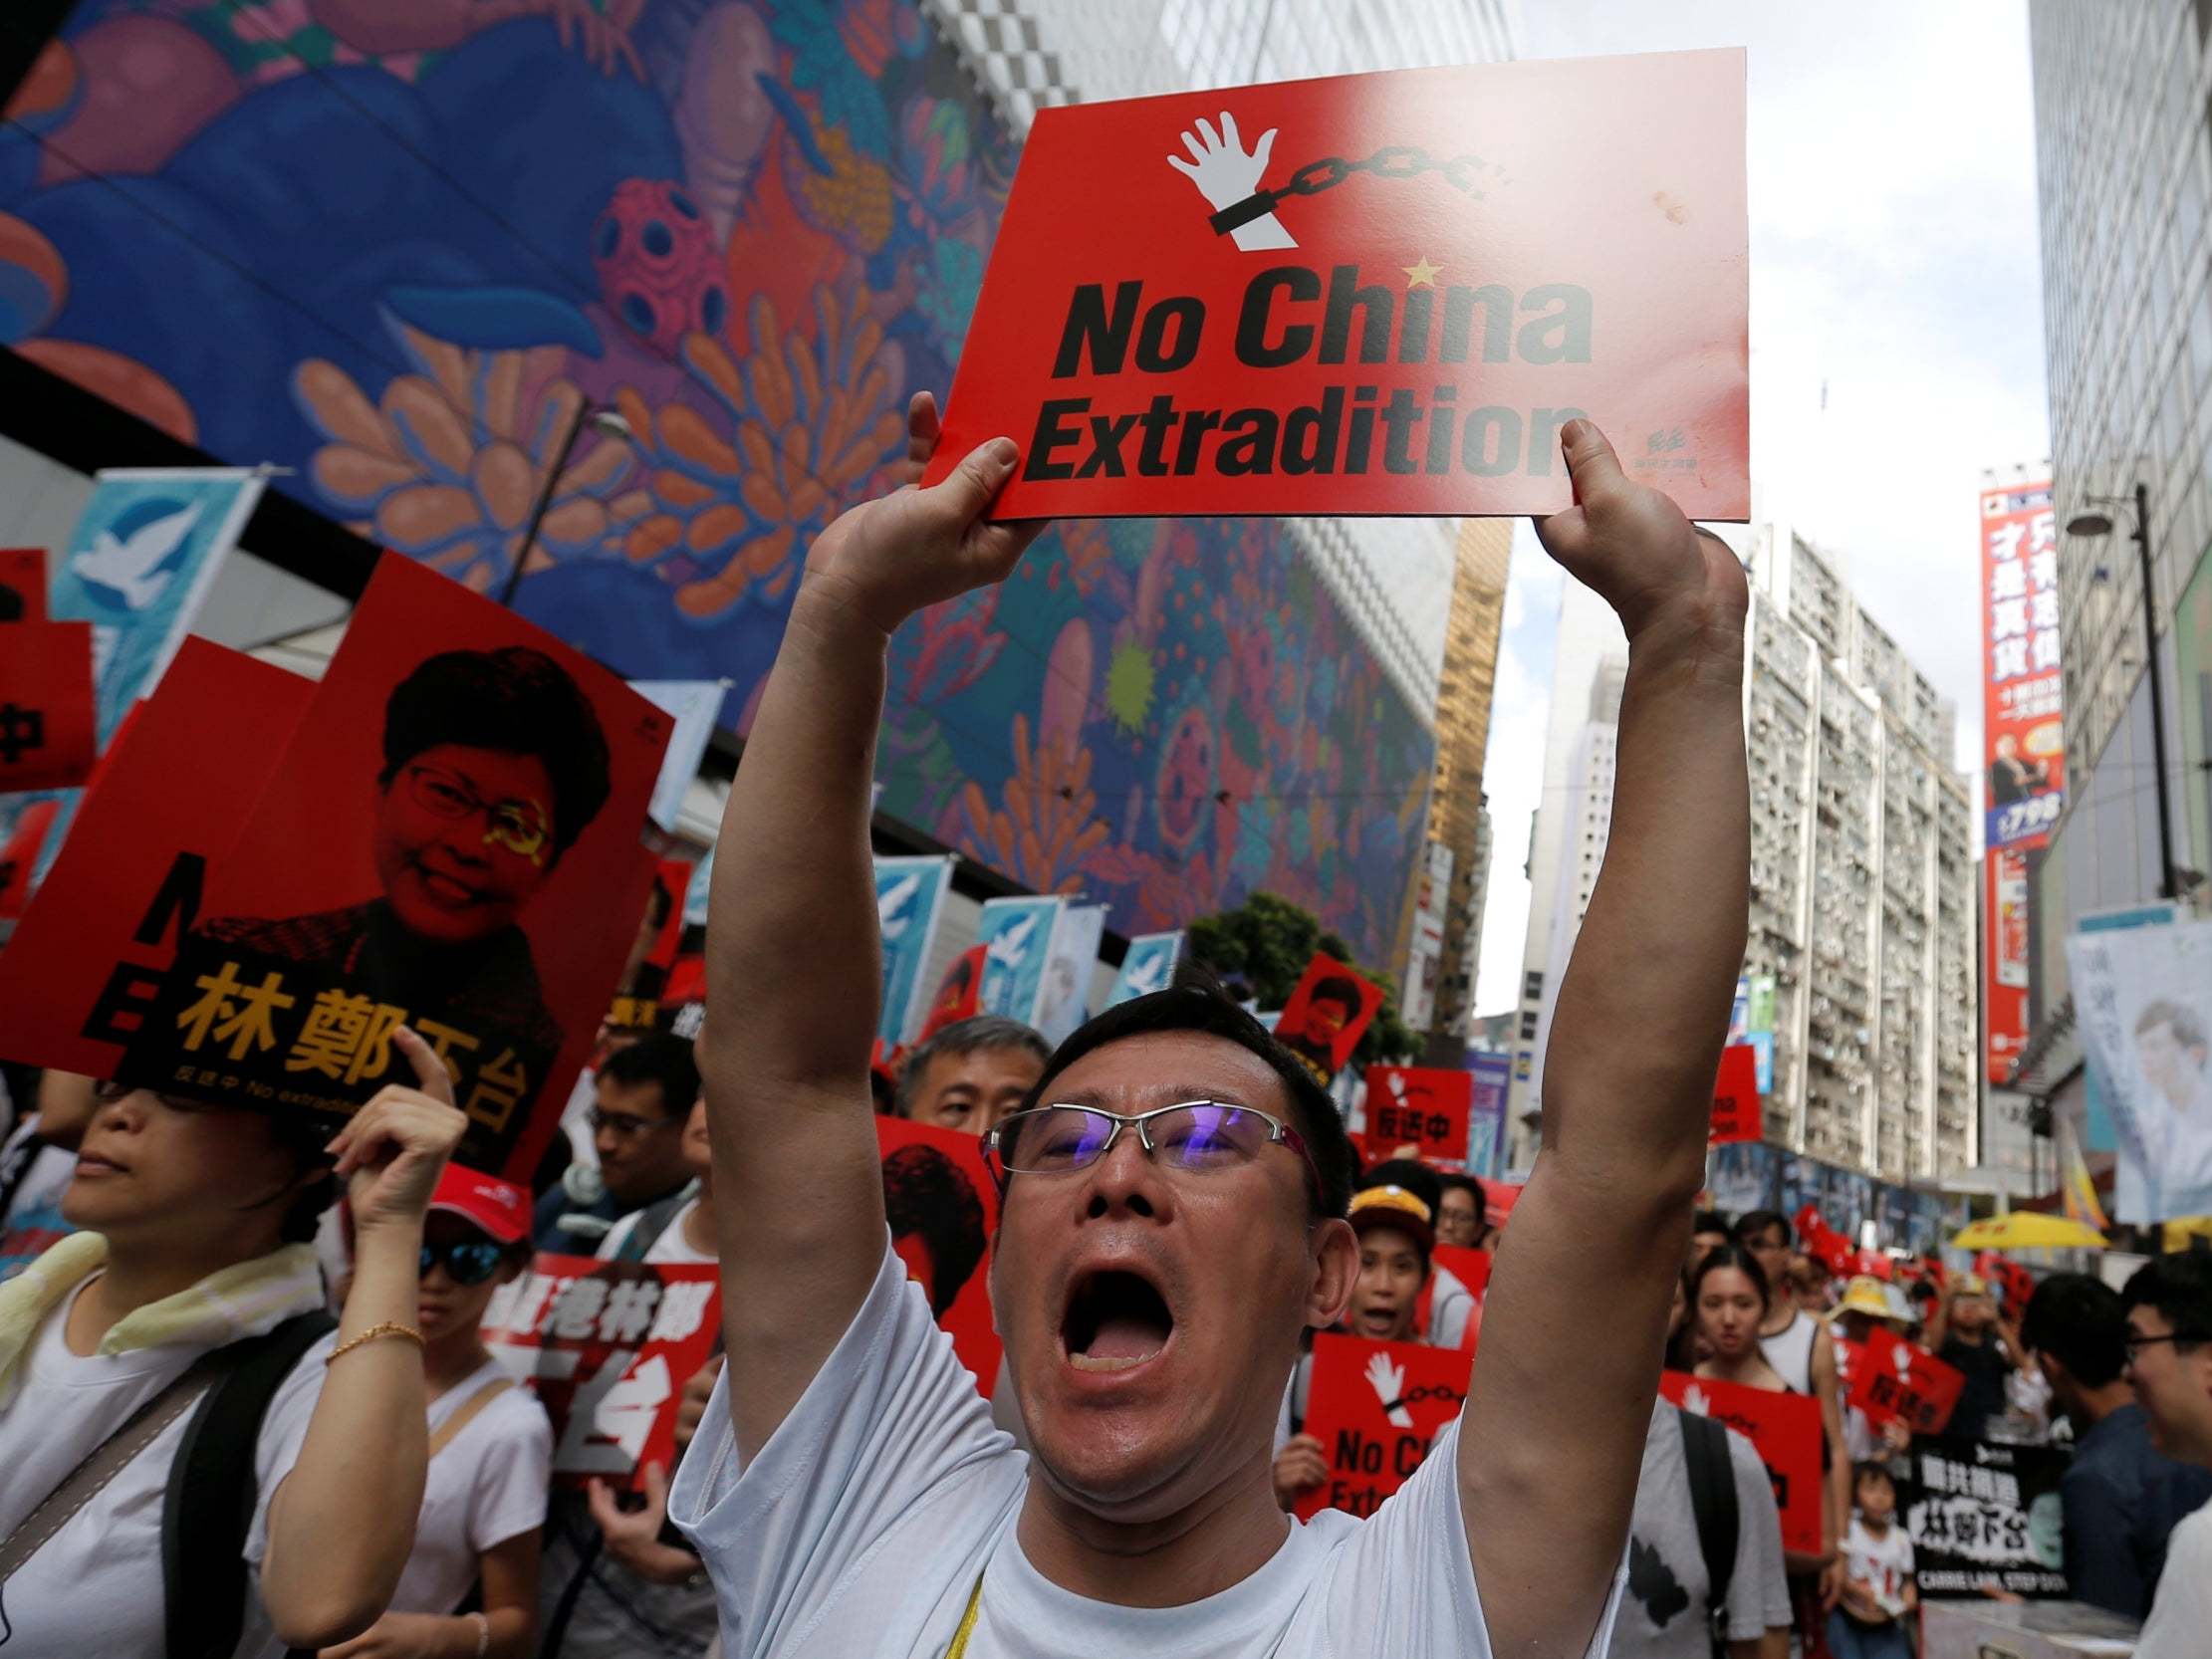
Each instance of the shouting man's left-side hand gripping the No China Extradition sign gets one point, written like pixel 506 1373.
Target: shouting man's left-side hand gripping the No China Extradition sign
pixel 899 554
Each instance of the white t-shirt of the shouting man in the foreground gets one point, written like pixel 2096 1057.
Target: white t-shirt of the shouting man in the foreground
pixel 866 1521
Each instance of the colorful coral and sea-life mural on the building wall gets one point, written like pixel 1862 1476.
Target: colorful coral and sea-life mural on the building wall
pixel 397 249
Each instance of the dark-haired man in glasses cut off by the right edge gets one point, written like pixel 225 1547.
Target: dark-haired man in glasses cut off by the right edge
pixel 2169 1348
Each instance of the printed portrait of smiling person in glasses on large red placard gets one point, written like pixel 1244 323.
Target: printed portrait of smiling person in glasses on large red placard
pixel 494 766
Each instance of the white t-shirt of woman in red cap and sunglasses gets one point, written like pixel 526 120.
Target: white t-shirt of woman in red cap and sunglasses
pixel 486 1488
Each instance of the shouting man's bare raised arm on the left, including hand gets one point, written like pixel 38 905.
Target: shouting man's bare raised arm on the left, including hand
pixel 791 943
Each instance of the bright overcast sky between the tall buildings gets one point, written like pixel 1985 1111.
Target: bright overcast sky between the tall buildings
pixel 1895 258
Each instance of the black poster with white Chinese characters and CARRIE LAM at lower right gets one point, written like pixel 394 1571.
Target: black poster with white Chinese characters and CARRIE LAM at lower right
pixel 1985 1519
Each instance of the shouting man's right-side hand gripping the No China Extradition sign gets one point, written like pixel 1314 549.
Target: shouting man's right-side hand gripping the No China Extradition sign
pixel 1660 574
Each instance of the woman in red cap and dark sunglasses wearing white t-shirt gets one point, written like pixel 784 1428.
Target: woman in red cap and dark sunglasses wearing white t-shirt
pixel 490 1446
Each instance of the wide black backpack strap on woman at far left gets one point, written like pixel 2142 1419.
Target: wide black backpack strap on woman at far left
pixel 213 1490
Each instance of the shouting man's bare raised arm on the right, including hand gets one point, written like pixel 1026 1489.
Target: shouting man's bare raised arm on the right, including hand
pixel 1578 1306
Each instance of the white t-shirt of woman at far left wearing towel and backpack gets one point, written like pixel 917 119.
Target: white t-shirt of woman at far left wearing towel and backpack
pixel 96 1587
